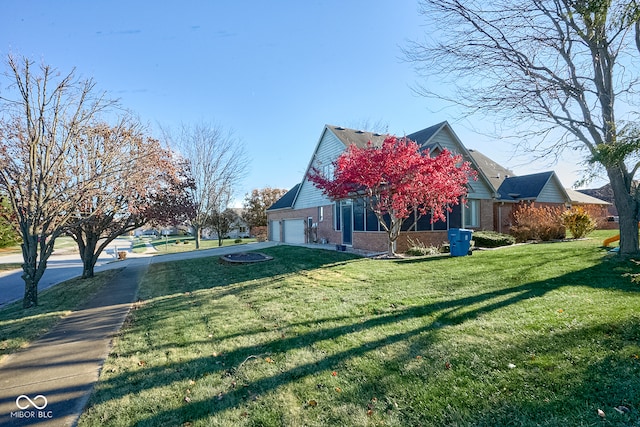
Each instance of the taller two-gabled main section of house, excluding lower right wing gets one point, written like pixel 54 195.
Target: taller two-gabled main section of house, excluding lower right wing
pixel 306 215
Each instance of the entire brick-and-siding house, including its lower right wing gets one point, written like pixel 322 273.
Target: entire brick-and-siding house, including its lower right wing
pixel 306 215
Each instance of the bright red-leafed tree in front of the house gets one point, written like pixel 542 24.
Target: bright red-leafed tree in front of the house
pixel 397 179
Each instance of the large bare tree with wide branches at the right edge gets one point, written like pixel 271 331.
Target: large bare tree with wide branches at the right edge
pixel 560 72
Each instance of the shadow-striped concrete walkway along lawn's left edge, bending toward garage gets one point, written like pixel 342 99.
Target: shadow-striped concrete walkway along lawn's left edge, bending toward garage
pixel 49 382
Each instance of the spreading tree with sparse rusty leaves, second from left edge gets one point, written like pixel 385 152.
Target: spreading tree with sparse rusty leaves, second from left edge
pixel 139 182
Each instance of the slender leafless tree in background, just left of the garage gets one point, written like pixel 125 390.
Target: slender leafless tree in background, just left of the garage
pixel 217 163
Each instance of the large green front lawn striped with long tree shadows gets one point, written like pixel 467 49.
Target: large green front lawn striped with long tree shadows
pixel 528 335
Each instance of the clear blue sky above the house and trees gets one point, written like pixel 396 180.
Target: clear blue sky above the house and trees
pixel 273 71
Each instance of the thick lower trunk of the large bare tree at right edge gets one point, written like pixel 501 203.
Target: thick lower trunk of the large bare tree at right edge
pixel 627 211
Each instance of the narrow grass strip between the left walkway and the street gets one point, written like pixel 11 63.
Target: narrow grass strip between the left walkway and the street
pixel 18 326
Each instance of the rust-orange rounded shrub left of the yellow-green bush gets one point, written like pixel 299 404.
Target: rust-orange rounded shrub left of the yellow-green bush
pixel 537 223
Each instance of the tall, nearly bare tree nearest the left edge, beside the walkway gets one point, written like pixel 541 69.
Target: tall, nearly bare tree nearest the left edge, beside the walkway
pixel 43 113
